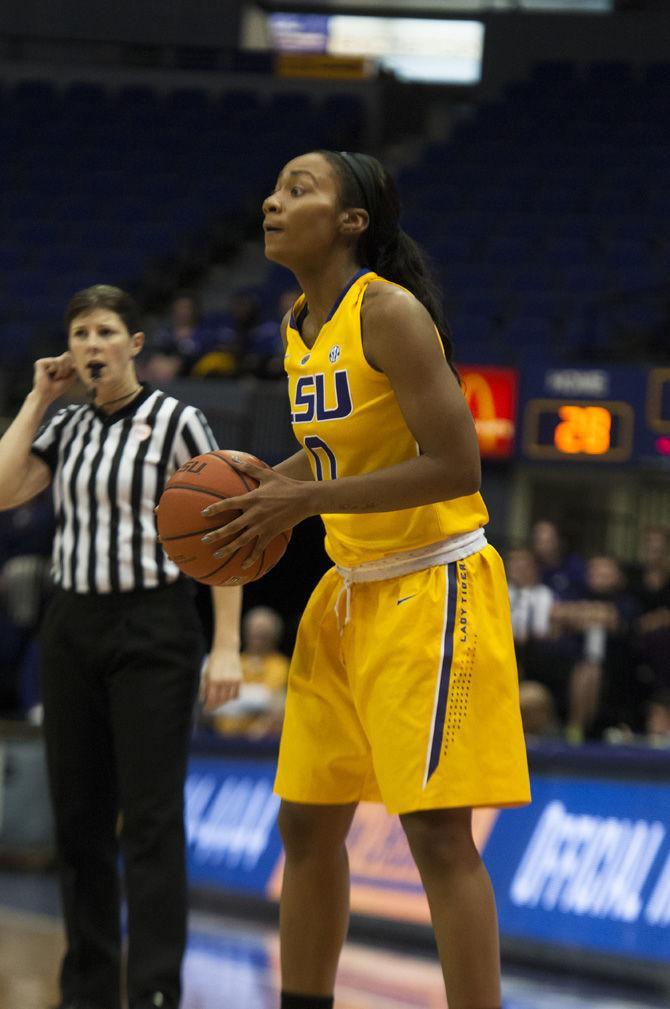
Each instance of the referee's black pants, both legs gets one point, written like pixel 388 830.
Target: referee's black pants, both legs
pixel 120 680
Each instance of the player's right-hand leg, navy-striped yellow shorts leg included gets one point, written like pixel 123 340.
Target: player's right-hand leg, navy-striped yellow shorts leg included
pixel 436 685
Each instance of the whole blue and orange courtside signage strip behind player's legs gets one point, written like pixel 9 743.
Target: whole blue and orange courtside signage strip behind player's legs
pixel 586 867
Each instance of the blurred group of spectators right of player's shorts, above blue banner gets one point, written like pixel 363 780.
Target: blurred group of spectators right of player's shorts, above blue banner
pixel 593 640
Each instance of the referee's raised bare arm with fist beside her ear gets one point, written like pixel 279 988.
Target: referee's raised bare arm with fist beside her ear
pixel 23 475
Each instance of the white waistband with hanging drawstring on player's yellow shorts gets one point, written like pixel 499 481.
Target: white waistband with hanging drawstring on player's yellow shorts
pixel 434 555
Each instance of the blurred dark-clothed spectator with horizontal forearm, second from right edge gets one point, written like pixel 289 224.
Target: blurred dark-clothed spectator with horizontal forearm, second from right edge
pixel 603 691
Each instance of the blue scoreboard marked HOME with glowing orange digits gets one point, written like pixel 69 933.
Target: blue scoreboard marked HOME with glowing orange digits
pixel 603 415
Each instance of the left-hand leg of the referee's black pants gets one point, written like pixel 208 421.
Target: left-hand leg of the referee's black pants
pixel 82 781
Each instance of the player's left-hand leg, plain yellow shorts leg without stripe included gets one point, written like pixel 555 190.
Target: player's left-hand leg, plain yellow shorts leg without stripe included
pixel 324 769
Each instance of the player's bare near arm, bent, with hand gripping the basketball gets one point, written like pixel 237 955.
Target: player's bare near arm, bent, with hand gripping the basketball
pixel 399 340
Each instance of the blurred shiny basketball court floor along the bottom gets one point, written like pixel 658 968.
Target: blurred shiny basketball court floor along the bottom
pixel 234 965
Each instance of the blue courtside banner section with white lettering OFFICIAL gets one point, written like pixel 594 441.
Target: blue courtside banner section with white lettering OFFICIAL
pixel 588 866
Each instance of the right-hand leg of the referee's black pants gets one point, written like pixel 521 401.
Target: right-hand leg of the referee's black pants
pixel 153 694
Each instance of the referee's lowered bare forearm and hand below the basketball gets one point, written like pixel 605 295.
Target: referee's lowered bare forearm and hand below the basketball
pixel 222 672
